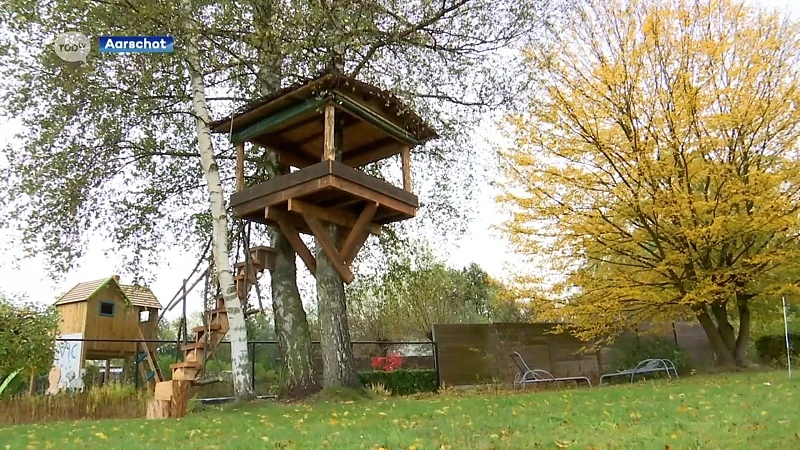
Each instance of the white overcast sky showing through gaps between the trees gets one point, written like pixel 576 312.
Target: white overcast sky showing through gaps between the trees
pixel 481 245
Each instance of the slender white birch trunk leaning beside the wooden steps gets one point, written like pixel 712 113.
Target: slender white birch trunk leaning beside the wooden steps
pixel 237 334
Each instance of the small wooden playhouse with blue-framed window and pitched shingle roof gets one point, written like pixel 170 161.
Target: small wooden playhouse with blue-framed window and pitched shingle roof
pixel 109 317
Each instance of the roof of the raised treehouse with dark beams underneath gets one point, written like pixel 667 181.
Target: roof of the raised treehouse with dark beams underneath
pixel 291 121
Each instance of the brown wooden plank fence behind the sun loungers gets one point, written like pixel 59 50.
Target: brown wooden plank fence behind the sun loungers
pixel 480 353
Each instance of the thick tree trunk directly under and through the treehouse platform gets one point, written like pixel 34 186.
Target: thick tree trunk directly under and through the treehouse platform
pixel 338 362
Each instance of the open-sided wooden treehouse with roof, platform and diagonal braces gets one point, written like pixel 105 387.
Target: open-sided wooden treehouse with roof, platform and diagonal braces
pixel 327 129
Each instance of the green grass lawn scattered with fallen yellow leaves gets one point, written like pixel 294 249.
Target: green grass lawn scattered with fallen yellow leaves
pixel 746 410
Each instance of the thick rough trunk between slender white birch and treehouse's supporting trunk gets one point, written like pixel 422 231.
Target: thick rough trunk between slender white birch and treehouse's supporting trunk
pixel 291 323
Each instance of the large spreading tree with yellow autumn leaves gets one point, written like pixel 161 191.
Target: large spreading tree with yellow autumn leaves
pixel 657 167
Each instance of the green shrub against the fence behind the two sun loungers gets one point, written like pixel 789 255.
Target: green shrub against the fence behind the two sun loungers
pixel 628 351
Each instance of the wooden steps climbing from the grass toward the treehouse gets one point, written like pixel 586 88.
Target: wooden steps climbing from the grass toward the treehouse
pixel 171 397
